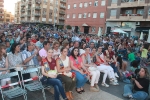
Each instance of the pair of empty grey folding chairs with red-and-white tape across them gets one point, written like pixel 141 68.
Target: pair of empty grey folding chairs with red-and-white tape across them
pixel 19 87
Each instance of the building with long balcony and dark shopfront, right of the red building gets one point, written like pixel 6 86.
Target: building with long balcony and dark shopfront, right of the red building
pixel 131 16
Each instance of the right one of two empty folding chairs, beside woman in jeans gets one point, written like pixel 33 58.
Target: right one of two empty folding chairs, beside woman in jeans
pixel 33 86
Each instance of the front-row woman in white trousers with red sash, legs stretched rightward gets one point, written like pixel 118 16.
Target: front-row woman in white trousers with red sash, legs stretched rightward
pixel 105 68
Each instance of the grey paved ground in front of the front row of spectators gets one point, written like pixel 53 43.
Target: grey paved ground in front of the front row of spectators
pixel 111 93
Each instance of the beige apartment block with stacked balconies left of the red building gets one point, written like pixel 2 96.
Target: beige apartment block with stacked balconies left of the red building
pixel 43 11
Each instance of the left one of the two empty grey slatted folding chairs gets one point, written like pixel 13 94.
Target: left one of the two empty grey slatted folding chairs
pixel 14 92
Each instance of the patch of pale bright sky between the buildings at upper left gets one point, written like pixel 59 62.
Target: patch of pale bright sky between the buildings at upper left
pixel 9 5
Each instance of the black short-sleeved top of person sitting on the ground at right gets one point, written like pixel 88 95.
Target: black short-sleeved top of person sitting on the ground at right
pixel 144 83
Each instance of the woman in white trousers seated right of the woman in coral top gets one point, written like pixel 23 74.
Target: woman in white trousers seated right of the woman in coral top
pixel 91 67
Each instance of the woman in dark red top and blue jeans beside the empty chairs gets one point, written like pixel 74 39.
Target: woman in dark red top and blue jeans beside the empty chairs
pixel 51 76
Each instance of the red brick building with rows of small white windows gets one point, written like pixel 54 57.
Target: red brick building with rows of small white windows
pixel 86 16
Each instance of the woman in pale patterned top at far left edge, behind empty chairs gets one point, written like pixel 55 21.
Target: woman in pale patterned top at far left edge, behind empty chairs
pixel 3 65
